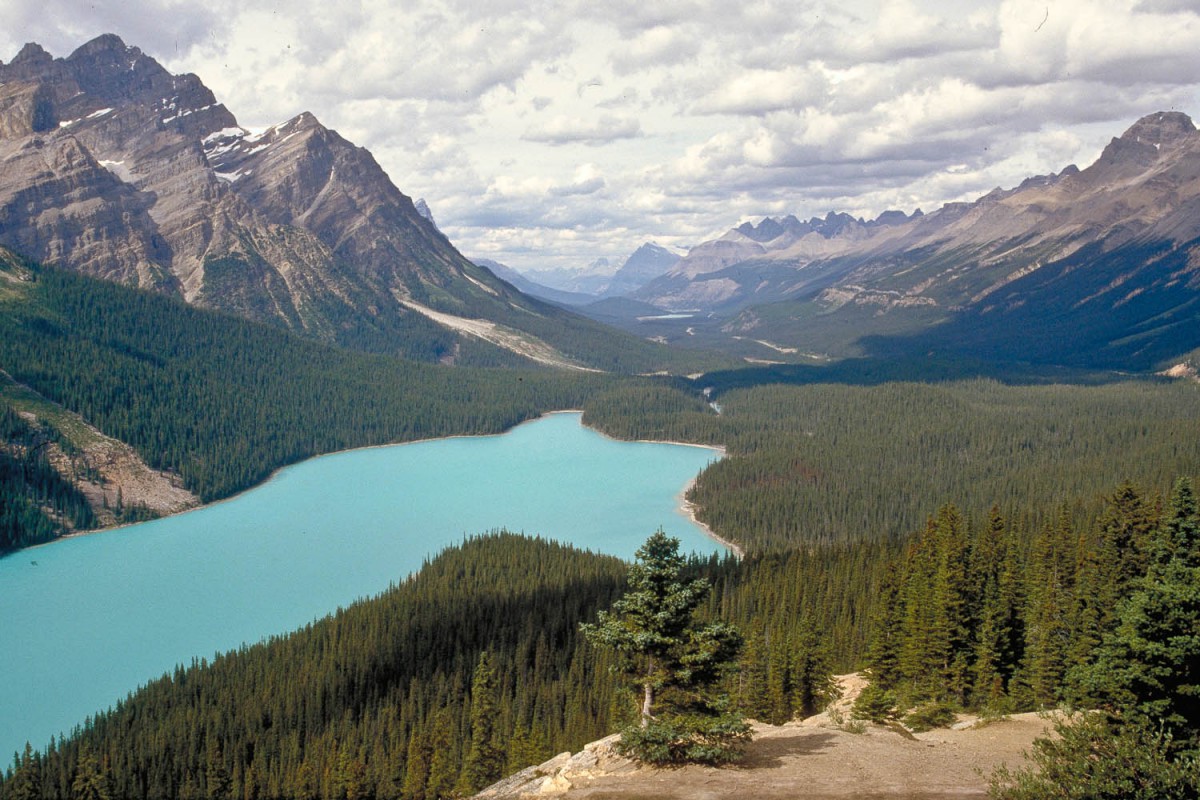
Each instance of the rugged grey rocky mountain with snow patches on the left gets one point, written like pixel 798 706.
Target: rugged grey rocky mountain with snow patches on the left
pixel 116 169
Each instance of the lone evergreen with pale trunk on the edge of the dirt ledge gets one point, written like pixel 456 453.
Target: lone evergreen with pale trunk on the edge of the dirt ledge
pixel 674 661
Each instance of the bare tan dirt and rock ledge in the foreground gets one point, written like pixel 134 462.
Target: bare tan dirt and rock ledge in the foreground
pixel 814 759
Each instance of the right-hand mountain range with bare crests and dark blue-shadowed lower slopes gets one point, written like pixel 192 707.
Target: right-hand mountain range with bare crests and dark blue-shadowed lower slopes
pixel 1097 267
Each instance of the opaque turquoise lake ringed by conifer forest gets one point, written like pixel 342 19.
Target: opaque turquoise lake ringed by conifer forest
pixel 83 622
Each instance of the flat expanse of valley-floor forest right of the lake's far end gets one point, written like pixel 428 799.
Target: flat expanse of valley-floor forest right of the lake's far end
pixel 833 464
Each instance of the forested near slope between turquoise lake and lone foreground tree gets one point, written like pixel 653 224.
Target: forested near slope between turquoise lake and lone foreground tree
pixel 375 699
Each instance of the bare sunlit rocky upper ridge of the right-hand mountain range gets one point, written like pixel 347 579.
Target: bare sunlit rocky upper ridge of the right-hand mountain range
pixel 1144 185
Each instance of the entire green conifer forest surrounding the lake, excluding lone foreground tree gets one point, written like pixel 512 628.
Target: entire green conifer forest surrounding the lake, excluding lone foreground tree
pixel 971 544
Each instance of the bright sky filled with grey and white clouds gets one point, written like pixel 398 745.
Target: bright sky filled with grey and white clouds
pixel 549 134
